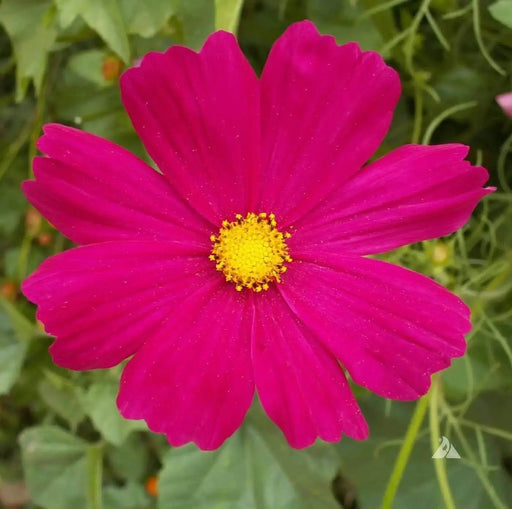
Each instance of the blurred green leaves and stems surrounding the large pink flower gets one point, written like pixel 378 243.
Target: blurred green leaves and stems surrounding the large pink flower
pixel 60 431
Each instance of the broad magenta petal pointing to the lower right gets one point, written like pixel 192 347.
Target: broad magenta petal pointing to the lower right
pixel 391 328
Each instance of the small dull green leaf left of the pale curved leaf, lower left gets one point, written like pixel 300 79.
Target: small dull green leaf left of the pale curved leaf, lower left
pixel 61 395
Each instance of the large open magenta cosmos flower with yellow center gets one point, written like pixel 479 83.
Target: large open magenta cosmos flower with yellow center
pixel 241 266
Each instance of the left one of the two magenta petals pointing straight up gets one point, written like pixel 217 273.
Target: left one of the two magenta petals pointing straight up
pixel 198 116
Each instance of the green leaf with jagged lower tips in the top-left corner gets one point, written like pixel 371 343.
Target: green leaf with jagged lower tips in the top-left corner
pixel 30 26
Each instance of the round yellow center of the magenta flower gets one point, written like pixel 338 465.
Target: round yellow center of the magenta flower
pixel 251 251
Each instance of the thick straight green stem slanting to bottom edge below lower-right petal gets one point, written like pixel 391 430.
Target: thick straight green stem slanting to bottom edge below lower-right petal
pixel 405 451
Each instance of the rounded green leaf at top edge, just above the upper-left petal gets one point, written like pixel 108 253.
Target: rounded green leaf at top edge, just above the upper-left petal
pixel 146 17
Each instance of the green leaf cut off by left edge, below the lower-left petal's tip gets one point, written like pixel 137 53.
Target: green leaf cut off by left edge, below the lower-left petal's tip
pixel 15 331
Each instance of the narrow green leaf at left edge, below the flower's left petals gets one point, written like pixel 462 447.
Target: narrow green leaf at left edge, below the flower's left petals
pixel 13 349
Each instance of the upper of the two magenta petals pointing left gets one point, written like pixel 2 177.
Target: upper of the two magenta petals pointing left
pixel 94 191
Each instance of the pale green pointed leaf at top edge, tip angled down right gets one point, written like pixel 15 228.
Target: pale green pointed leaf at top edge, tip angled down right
pixel 103 16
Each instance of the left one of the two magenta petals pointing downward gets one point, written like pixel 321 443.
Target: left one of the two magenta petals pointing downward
pixel 194 380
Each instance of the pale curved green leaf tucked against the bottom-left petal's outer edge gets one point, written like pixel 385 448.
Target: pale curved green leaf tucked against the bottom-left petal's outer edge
pixel 100 404
